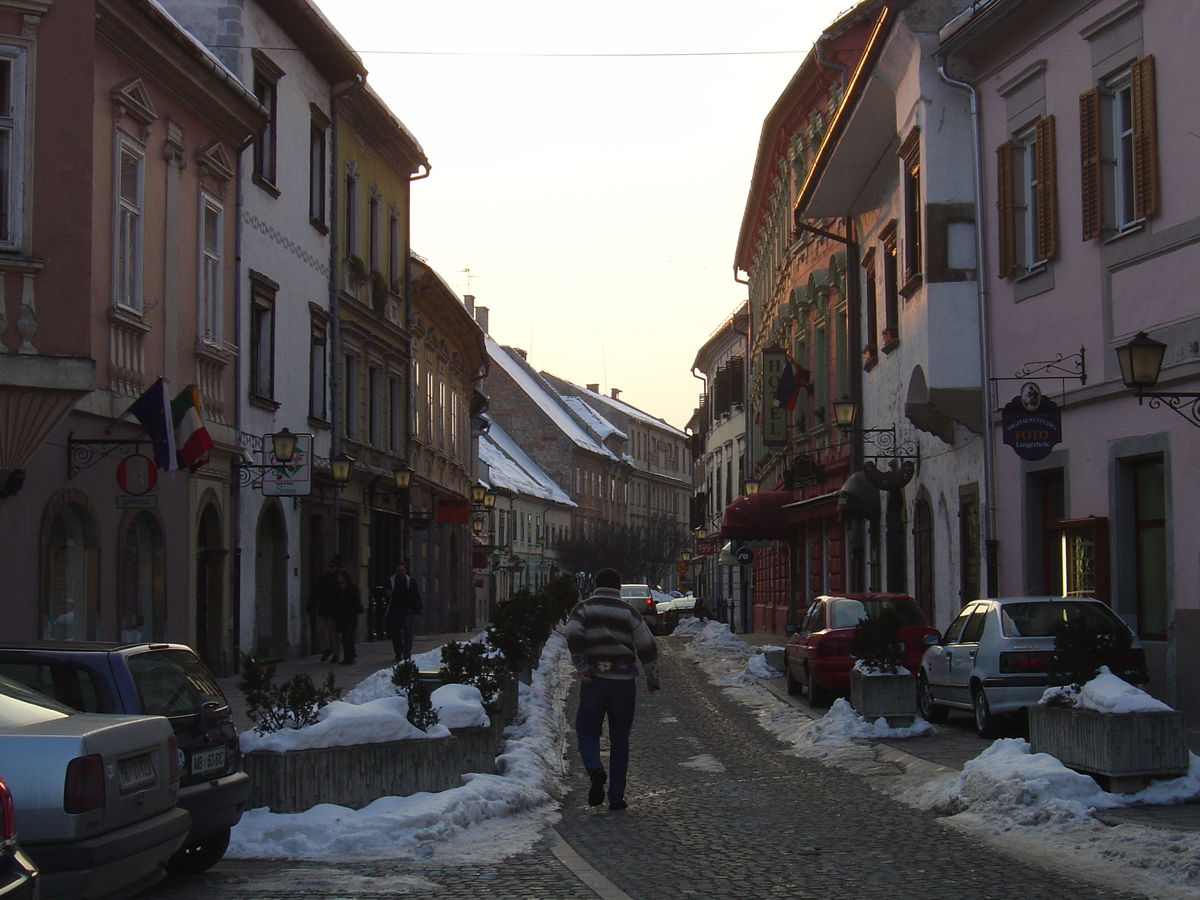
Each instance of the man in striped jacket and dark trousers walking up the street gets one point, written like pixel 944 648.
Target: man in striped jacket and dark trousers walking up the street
pixel 608 638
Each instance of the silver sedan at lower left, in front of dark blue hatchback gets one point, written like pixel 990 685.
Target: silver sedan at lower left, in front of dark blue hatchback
pixel 95 794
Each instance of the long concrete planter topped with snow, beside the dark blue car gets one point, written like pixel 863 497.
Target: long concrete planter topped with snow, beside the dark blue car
pixel 357 776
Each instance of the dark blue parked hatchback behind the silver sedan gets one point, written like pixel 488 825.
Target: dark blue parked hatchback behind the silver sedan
pixel 158 680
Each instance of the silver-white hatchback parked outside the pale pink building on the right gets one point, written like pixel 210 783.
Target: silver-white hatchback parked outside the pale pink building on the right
pixel 995 658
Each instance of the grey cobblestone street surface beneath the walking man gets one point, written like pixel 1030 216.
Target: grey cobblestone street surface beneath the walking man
pixel 717 811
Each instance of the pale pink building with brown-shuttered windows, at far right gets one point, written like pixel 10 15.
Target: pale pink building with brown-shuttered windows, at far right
pixel 1091 214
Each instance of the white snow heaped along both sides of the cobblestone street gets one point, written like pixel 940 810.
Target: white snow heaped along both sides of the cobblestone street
pixel 1027 803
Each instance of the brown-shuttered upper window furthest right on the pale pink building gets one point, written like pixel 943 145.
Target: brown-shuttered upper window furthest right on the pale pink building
pixel 1119 143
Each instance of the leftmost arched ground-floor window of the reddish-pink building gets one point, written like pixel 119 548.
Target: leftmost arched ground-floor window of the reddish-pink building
pixel 70 598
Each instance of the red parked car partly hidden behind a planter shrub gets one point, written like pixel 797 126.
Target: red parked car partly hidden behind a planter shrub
pixel 818 653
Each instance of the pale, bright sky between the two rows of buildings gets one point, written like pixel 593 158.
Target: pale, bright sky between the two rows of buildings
pixel 596 201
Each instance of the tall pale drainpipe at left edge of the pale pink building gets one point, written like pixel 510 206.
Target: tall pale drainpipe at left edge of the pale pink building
pixel 992 545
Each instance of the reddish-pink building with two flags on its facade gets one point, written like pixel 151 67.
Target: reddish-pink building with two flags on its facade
pixel 118 268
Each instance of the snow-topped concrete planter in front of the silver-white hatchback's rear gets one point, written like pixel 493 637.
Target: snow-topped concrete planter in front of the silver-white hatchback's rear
pixel 1123 752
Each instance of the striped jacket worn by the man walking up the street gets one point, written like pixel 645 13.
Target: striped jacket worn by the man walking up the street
pixel 608 638
